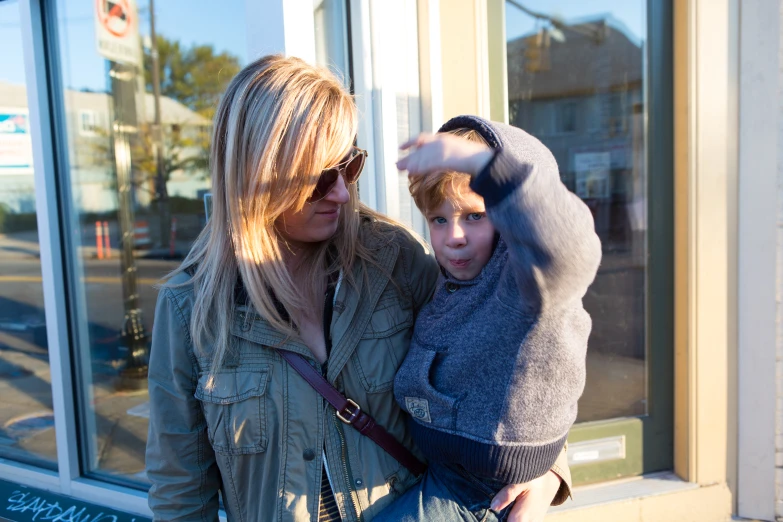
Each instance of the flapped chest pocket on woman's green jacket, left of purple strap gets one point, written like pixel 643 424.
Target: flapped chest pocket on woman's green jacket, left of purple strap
pixel 235 410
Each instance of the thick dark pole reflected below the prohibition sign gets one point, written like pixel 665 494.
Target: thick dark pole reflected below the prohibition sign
pixel 124 130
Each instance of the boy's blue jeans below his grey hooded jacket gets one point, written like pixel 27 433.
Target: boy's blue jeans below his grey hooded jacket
pixel 446 493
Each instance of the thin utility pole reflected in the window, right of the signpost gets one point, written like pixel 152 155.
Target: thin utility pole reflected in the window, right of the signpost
pixel 161 191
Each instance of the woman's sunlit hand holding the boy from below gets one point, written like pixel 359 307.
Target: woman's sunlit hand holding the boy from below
pixel 531 499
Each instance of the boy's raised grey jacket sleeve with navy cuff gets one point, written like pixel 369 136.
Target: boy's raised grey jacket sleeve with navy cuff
pixel 554 251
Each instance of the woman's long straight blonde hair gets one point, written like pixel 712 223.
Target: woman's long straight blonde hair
pixel 280 122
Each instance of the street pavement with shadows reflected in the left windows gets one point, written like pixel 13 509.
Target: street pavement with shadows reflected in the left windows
pixel 26 429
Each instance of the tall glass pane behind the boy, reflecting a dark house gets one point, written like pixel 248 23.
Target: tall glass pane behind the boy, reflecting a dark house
pixel 576 81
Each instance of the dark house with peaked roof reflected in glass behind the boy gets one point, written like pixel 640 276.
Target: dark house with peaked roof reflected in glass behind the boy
pixel 579 90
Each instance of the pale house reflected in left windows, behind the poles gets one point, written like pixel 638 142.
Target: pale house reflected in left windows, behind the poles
pixel 91 164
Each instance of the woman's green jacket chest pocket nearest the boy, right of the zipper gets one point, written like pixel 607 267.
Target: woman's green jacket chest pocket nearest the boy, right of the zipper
pixel 384 343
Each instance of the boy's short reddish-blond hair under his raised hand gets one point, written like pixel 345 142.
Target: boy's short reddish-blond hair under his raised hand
pixel 429 192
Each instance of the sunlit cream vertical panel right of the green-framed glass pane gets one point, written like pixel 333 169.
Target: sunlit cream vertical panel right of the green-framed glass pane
pixel 705 54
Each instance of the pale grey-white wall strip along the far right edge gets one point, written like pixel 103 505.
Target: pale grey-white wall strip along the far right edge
pixel 760 253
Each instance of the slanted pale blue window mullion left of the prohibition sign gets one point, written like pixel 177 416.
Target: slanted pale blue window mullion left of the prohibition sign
pixel 50 239
